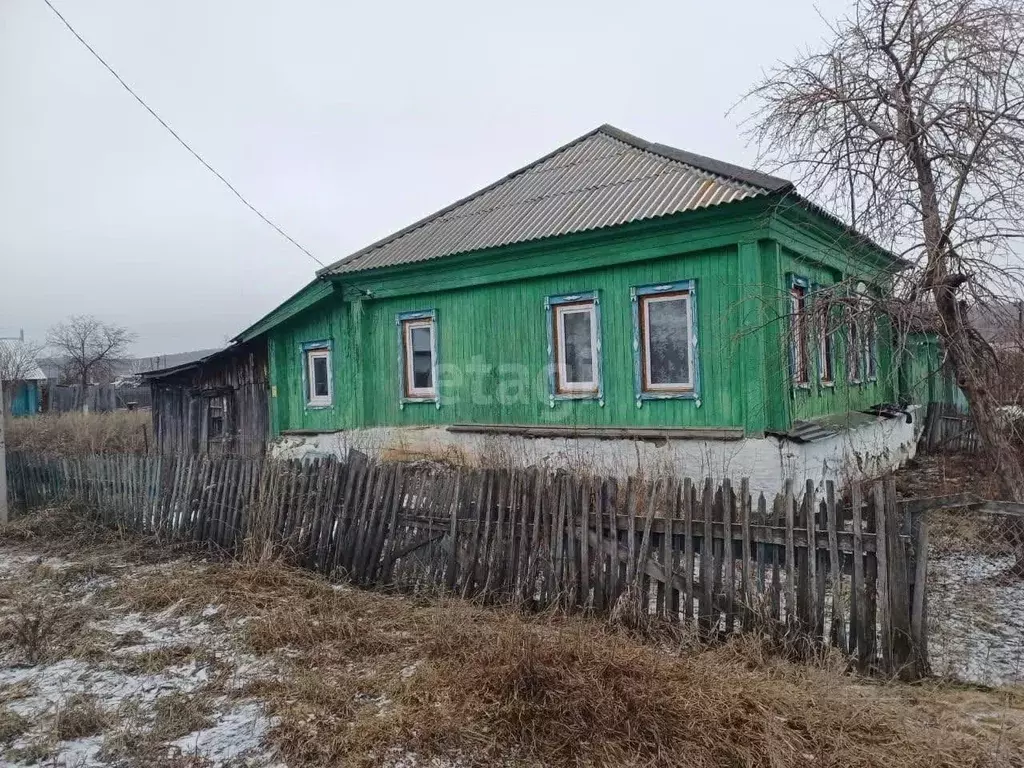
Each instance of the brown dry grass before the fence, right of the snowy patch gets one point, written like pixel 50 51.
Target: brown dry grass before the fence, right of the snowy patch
pixel 368 673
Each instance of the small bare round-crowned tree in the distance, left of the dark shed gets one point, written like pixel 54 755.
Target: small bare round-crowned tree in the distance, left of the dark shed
pixel 90 348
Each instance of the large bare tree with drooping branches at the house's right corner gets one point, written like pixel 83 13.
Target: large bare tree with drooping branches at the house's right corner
pixel 911 125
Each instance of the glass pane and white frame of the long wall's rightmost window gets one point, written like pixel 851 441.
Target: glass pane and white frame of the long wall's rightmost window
pixel 668 340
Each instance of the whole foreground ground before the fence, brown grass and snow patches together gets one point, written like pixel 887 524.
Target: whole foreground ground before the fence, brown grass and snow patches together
pixel 124 653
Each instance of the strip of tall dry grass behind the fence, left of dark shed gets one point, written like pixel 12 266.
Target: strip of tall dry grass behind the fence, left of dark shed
pixel 80 435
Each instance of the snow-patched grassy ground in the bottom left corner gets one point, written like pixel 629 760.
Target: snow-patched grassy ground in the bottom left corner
pixel 84 682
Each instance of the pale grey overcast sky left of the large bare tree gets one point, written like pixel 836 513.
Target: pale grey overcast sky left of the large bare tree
pixel 343 122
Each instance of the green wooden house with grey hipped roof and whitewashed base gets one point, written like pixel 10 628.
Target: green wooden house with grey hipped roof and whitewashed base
pixel 616 302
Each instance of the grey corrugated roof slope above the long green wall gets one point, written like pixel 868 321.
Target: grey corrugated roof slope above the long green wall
pixel 604 179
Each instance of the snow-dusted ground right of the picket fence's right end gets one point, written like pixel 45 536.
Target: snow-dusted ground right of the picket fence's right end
pixel 976 619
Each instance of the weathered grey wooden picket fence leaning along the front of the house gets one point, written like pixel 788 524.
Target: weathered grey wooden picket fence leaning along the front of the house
pixel 814 570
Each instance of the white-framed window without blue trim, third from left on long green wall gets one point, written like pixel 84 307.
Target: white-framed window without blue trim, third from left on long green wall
pixel 576 348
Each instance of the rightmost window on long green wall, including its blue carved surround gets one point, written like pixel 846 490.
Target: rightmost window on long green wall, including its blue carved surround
pixel 666 340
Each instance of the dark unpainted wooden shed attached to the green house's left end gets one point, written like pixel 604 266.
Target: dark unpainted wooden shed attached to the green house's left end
pixel 217 405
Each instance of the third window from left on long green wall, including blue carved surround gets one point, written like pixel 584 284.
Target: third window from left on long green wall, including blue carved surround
pixel 575 347
